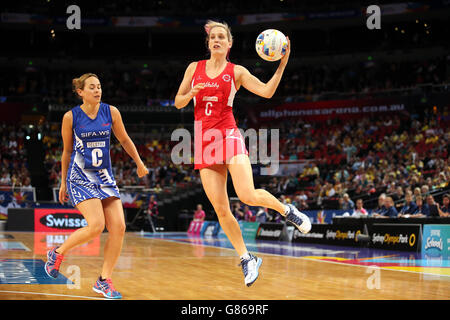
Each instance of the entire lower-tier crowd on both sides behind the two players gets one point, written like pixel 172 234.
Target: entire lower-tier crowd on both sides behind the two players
pixel 345 160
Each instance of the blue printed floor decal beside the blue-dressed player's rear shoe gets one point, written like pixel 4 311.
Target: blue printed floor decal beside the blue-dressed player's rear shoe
pixel 27 271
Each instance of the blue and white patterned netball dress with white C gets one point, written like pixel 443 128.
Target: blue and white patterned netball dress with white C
pixel 90 173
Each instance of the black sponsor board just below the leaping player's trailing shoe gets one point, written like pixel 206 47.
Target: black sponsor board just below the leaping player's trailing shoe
pixel 329 234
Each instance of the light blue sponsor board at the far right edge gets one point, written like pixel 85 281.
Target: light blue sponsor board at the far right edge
pixel 436 240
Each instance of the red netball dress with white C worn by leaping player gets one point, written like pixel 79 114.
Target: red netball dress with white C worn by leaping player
pixel 217 138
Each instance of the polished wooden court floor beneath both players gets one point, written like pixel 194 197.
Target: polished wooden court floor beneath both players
pixel 158 269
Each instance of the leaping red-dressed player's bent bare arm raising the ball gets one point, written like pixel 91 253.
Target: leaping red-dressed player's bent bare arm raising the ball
pixel 256 86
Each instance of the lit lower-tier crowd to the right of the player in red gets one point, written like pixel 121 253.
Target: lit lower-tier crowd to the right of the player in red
pixel 360 159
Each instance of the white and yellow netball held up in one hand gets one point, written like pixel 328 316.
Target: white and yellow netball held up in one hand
pixel 271 45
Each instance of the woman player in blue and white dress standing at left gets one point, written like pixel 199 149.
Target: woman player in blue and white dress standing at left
pixel 87 178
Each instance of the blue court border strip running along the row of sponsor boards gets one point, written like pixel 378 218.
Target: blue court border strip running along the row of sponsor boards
pixel 357 256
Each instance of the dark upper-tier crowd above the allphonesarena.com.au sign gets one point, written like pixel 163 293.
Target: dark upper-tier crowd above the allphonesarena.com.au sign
pixel 312 82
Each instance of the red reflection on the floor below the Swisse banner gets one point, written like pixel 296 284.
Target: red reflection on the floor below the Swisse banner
pixel 44 241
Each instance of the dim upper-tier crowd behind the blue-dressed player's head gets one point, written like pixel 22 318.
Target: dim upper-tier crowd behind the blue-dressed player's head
pixel 54 86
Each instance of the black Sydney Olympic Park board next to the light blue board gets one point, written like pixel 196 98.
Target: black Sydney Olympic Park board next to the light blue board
pixel 396 236
